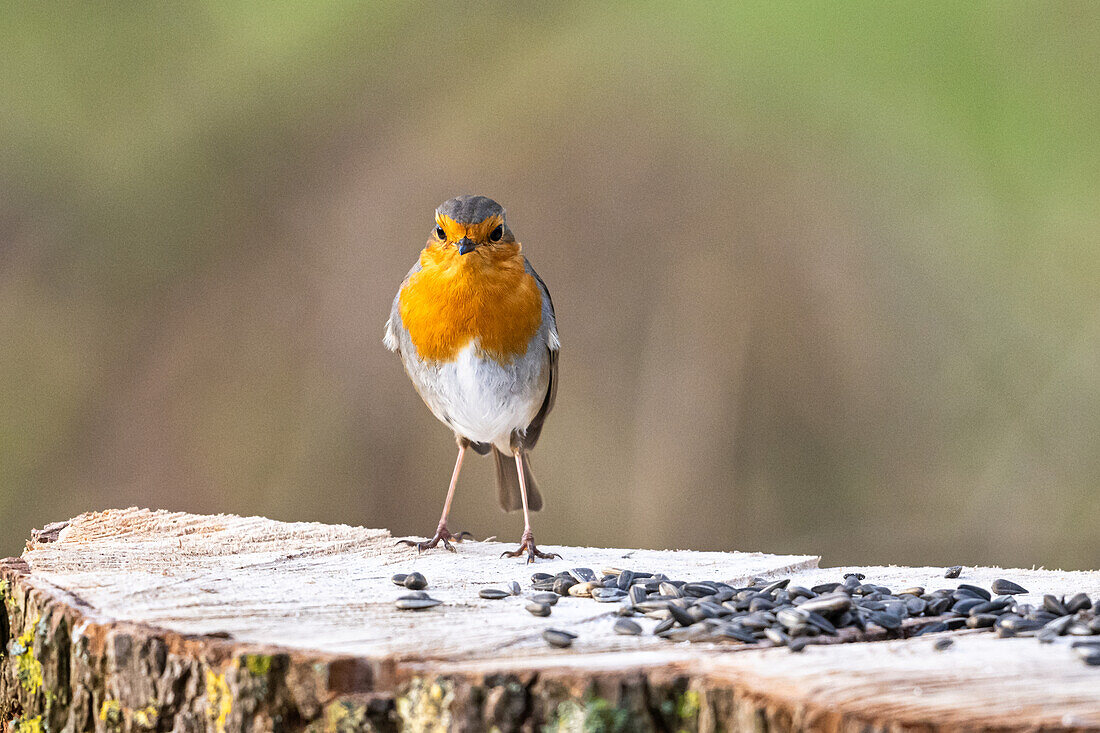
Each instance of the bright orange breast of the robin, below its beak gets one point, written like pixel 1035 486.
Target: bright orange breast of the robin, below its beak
pixel 486 296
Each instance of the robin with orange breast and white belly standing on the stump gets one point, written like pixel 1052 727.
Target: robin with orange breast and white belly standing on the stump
pixel 476 330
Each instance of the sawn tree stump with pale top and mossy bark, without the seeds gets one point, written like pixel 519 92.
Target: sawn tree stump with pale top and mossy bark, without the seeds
pixel 139 620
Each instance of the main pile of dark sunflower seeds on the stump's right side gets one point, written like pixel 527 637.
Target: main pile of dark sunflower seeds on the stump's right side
pixel 777 614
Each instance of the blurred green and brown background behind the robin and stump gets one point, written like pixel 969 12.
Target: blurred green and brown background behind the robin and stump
pixel 827 276
